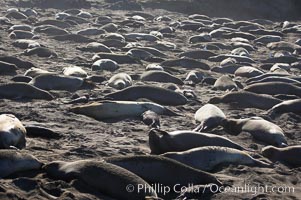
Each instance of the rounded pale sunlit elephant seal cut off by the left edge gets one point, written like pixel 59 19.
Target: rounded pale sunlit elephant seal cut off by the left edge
pixel 12 132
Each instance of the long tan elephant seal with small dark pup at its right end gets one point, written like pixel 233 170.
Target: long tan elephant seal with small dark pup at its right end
pixel 119 109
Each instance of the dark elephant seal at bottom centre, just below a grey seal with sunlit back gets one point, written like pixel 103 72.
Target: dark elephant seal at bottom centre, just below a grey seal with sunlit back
pixel 165 170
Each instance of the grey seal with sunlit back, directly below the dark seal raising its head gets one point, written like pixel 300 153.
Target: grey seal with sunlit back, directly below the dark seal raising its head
pixel 207 158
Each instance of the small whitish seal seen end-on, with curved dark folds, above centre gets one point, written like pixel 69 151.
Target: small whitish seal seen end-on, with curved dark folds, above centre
pixel 120 81
